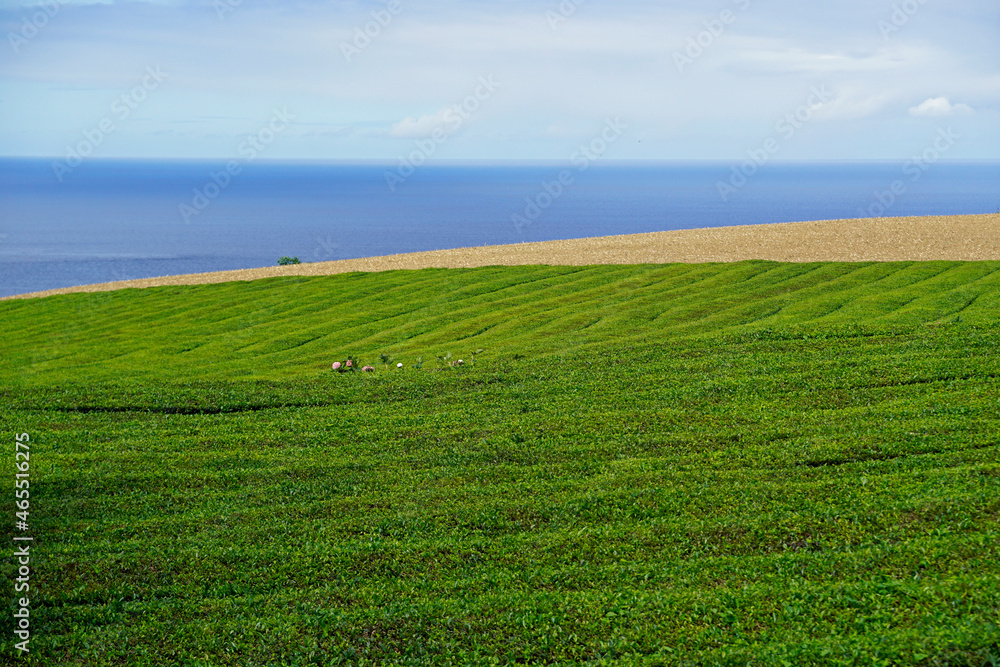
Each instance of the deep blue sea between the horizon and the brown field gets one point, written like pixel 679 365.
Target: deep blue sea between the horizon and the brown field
pixel 122 219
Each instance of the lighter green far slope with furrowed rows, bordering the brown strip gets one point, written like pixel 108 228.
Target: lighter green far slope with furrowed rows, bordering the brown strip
pixel 285 327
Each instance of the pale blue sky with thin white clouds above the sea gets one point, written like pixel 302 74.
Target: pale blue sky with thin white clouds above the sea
pixel 500 79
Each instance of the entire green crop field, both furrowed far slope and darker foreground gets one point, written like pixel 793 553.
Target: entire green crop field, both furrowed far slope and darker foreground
pixel 649 465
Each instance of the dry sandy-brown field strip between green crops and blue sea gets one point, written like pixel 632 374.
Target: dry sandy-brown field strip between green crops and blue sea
pixel 953 237
